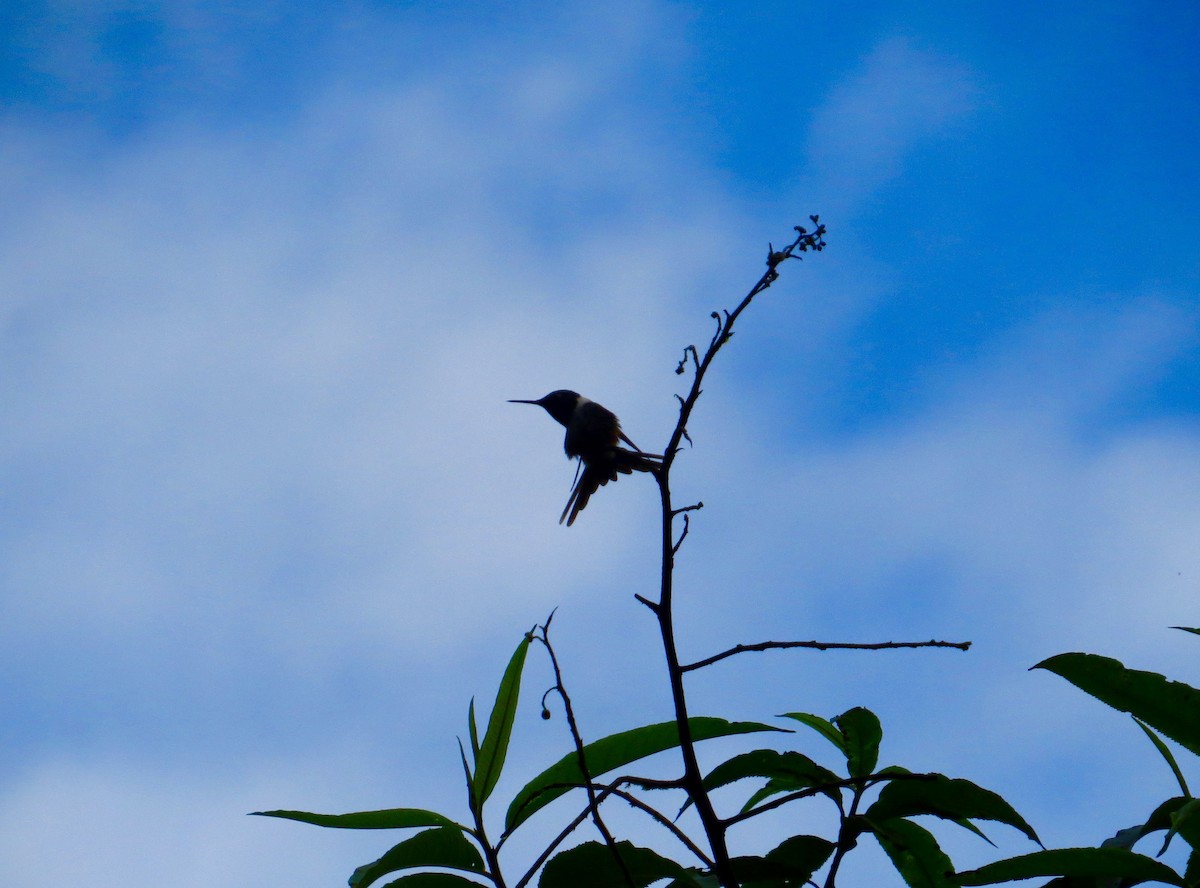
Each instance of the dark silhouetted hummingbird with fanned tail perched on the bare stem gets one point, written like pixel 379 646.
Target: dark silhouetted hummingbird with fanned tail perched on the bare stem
pixel 592 436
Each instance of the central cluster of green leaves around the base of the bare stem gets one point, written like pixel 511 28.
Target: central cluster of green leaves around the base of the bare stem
pixel 866 801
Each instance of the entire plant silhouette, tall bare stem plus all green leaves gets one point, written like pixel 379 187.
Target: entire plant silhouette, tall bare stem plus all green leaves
pixel 862 799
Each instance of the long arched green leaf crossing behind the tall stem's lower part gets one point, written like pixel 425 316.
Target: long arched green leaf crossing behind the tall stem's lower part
pixel 611 753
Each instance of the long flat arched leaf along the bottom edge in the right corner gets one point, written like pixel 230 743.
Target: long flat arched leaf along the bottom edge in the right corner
pixel 1075 863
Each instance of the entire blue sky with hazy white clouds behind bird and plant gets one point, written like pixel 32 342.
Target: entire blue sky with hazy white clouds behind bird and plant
pixel 271 273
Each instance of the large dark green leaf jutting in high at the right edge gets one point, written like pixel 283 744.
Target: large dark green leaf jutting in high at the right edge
pixel 1169 707
